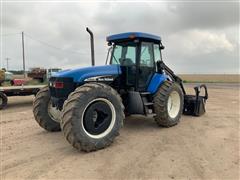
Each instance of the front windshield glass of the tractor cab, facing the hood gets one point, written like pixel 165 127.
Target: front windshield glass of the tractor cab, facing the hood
pixel 125 54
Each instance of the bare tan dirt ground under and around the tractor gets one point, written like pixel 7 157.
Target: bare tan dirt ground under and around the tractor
pixel 204 147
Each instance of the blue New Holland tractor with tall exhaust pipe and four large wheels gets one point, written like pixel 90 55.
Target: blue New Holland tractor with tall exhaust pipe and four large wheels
pixel 89 104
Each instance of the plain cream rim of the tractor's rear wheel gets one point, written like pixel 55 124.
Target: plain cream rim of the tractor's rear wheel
pixel 173 104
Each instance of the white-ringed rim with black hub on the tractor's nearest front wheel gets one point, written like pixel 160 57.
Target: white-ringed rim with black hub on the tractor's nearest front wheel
pixel 98 118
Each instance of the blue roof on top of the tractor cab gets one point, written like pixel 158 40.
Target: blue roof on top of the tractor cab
pixel 132 35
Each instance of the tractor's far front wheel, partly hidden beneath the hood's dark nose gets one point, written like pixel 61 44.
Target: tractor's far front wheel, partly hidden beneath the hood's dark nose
pixel 45 114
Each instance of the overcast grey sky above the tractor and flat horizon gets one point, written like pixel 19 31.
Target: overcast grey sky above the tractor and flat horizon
pixel 199 36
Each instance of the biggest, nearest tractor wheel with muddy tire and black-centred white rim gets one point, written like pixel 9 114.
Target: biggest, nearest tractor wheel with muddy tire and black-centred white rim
pixel 92 117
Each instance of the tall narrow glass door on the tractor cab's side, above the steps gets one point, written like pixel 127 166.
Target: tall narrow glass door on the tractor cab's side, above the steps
pixel 146 65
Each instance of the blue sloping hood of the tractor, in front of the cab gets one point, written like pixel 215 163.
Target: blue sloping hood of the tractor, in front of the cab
pixel 81 74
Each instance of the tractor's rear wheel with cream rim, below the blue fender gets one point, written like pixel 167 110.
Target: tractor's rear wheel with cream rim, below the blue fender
pixel 168 104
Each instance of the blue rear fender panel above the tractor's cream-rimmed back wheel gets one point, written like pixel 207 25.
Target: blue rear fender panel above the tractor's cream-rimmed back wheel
pixel 156 81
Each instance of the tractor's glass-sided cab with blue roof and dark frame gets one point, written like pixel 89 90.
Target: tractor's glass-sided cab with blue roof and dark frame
pixel 137 54
